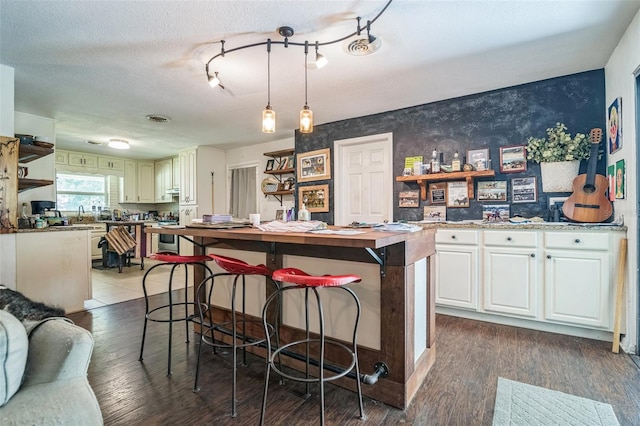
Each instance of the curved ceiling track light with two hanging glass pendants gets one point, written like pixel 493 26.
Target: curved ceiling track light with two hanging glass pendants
pixel 359 46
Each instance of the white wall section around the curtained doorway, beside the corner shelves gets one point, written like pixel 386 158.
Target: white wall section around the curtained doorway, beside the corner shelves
pixel 253 154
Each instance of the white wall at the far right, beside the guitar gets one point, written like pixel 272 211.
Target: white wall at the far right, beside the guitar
pixel 620 82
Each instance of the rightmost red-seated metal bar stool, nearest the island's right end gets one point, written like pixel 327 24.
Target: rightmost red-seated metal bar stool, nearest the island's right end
pixel 310 283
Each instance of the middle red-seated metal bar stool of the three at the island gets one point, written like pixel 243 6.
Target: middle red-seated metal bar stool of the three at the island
pixel 237 268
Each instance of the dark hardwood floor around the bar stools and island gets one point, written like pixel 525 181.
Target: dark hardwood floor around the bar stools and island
pixel 459 390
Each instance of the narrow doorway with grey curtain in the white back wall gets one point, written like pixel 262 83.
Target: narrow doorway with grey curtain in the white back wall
pixel 243 198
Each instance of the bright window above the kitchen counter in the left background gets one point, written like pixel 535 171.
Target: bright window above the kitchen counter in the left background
pixel 77 189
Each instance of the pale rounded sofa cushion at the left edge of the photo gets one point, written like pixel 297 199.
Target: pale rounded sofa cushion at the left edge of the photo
pixel 14 345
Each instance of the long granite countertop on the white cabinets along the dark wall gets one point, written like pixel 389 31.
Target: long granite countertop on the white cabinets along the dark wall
pixel 562 226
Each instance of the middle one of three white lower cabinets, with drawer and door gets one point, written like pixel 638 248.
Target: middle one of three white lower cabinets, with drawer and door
pixel 510 273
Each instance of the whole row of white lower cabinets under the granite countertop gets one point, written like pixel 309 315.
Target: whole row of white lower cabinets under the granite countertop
pixel 560 278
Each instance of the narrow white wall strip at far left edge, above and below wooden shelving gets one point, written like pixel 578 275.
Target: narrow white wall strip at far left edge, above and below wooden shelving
pixel 7 241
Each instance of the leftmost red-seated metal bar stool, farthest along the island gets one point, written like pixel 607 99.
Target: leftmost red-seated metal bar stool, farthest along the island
pixel 174 260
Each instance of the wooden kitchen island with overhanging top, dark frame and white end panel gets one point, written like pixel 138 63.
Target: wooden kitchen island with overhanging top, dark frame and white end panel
pixel 407 299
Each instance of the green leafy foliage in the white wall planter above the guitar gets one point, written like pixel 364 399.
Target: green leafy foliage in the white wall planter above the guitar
pixel 558 146
